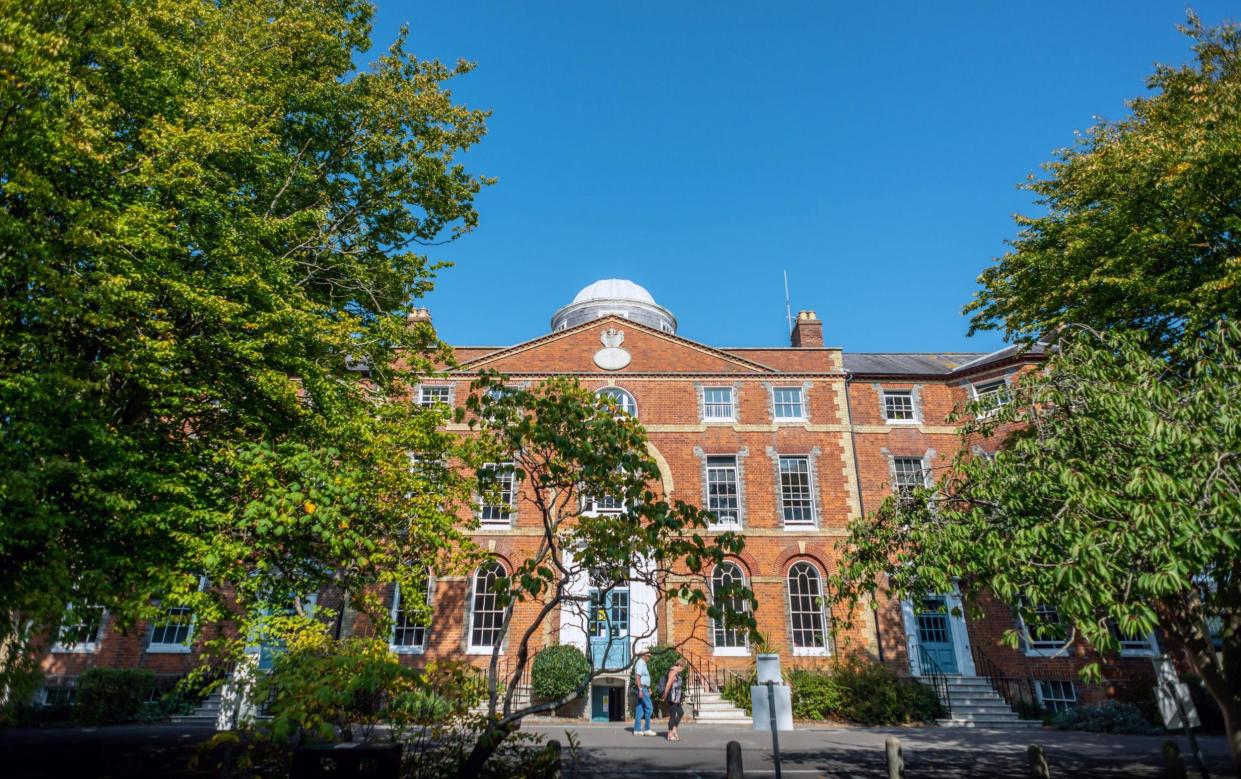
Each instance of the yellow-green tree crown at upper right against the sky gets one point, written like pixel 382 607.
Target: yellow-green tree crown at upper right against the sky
pixel 1144 215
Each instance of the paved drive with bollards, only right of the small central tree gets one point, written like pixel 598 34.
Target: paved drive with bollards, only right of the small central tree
pixel 811 752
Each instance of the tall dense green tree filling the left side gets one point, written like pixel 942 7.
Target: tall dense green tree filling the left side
pixel 210 221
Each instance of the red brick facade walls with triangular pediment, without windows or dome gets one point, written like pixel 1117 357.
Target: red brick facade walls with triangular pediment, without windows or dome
pixel 849 442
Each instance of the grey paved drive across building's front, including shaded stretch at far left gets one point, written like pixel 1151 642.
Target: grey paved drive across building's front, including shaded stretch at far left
pixel 612 752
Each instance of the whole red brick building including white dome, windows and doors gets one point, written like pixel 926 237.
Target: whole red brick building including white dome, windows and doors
pixel 785 443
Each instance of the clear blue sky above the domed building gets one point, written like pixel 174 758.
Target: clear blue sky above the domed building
pixel 873 151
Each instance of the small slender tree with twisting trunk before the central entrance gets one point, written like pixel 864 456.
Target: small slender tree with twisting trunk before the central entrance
pixel 575 453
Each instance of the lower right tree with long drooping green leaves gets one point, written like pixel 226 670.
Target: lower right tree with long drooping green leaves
pixel 1118 503
